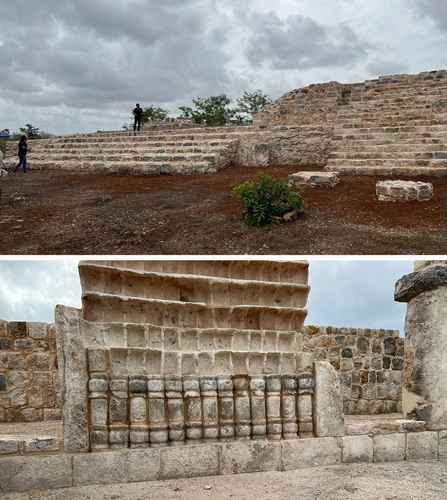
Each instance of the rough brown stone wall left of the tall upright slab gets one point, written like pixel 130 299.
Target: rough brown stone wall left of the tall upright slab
pixel 28 372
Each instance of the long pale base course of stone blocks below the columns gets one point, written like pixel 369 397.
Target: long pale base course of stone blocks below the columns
pixel 22 474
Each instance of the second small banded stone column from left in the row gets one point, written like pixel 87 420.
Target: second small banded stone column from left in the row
pixel 118 414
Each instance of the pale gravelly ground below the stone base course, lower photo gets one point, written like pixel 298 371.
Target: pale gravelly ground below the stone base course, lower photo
pixel 391 481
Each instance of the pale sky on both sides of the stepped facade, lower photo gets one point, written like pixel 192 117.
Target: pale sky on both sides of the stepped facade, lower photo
pixel 344 293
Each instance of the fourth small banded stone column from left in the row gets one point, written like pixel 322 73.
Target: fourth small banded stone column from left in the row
pixel 158 425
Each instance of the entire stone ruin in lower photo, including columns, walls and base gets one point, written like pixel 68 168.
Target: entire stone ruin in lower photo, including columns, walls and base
pixel 181 369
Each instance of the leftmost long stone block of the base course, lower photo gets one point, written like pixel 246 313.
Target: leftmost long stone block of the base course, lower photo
pixel 26 473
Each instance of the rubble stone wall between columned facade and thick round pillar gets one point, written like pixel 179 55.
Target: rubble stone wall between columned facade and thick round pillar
pixel 370 363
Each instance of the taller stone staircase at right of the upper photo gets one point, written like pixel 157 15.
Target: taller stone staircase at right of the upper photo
pixel 393 126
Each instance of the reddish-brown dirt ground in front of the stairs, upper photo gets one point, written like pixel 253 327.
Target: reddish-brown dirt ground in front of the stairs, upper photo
pixel 68 213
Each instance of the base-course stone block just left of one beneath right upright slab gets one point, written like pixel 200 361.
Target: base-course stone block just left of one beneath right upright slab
pixel 250 456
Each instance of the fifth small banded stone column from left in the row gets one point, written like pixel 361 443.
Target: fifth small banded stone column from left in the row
pixel 176 411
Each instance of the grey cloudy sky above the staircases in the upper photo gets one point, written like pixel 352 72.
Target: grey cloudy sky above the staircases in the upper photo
pixel 78 65
